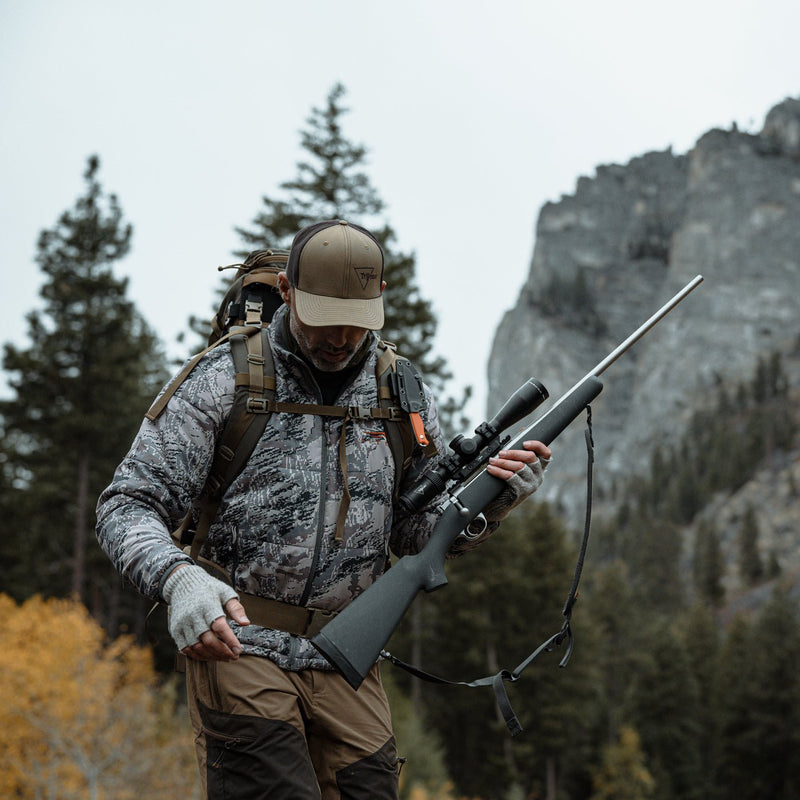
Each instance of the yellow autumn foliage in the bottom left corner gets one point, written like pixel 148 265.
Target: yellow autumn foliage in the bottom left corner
pixel 82 718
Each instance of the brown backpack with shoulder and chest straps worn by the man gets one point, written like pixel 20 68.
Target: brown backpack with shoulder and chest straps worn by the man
pixel 242 318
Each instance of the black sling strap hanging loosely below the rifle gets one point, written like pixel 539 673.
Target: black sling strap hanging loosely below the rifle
pixel 498 681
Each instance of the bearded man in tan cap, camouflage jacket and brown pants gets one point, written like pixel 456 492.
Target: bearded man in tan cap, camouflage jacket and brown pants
pixel 306 525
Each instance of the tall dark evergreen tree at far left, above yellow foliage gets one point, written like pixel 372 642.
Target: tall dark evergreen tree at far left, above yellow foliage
pixel 80 389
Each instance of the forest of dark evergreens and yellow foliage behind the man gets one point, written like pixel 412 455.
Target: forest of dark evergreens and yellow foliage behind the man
pixel 672 691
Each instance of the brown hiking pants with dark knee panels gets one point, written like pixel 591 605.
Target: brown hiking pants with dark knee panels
pixel 263 732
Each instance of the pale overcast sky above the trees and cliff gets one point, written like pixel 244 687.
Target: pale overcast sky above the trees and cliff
pixel 475 114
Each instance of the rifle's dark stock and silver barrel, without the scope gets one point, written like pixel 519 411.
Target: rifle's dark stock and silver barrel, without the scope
pixel 354 639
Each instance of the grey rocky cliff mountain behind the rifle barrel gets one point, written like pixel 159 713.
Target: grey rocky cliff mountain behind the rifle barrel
pixel 610 254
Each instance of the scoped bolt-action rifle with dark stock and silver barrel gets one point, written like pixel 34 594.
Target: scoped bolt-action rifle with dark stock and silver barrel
pixel 355 638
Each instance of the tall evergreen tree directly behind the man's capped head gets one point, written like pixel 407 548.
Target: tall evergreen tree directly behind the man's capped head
pixel 331 184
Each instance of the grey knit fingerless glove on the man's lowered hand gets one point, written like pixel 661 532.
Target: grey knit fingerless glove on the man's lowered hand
pixel 195 600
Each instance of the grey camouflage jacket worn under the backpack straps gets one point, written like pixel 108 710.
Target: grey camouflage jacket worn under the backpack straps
pixel 274 532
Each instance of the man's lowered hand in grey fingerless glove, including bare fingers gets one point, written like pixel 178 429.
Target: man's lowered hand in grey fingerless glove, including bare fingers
pixel 198 604
